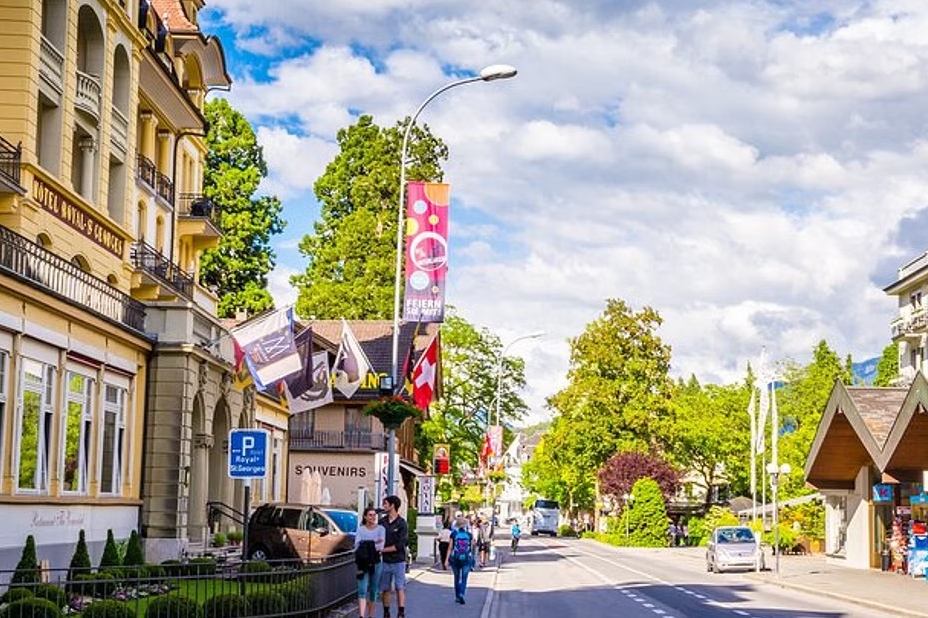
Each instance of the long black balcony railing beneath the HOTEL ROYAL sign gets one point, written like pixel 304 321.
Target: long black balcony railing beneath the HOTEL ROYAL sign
pixel 27 260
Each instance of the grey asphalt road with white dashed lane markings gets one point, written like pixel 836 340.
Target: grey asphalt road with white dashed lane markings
pixel 568 577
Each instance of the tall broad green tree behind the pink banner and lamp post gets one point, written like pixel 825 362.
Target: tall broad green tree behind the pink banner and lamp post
pixel 352 251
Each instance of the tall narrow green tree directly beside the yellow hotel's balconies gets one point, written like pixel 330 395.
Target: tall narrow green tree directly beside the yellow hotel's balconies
pixel 235 166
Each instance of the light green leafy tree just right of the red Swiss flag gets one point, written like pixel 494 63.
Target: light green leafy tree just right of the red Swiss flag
pixel 469 358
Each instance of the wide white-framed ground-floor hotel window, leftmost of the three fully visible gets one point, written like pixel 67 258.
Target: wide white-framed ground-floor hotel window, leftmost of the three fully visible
pixel 33 426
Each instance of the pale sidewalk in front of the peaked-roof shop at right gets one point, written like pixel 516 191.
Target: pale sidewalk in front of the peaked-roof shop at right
pixel 898 594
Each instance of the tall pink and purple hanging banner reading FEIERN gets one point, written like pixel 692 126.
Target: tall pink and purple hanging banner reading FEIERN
pixel 427 205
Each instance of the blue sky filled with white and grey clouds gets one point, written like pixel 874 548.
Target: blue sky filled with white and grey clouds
pixel 755 171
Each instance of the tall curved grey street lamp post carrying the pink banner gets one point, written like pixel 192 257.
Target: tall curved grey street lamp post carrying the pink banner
pixel 488 74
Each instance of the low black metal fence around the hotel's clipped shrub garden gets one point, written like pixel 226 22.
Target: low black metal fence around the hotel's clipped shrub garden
pixel 196 588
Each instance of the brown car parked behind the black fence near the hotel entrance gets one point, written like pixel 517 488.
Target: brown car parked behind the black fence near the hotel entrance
pixel 288 531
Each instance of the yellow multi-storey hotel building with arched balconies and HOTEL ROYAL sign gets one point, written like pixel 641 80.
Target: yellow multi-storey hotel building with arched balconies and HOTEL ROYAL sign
pixel 116 383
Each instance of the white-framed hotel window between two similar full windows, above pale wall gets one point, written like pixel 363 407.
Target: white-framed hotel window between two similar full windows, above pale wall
pixel 78 428
